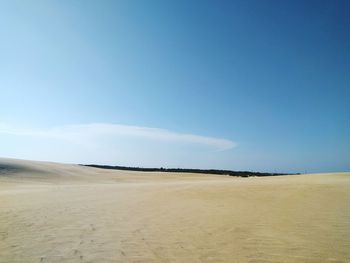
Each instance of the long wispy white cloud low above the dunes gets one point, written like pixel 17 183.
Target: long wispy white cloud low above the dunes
pixel 92 134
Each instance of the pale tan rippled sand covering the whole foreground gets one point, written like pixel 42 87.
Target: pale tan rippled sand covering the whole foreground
pixel 67 213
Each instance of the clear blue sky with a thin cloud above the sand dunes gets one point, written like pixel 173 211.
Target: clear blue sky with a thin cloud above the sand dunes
pixel 240 85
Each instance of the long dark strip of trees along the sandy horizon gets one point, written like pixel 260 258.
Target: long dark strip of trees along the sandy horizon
pixel 181 170
